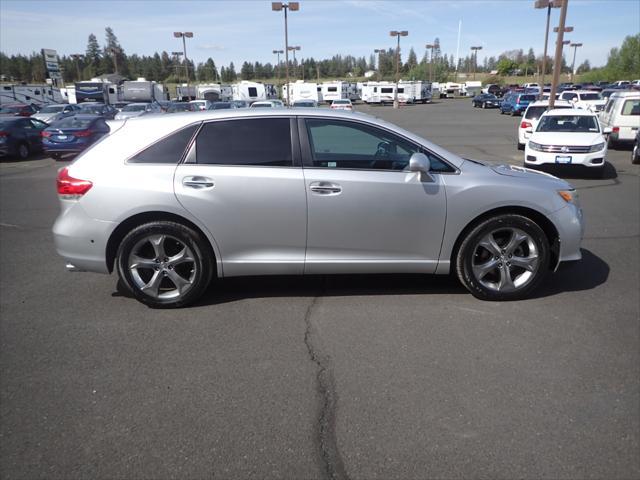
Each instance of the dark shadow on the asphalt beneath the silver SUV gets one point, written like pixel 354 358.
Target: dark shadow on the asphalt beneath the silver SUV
pixel 582 275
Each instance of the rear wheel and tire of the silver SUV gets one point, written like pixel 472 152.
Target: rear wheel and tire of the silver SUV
pixel 165 264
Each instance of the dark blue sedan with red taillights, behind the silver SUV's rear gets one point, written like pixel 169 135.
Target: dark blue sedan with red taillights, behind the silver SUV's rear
pixel 73 134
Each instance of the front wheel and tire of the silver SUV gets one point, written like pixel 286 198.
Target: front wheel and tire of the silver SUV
pixel 484 263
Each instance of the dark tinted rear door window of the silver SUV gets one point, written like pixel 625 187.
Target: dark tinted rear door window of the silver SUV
pixel 259 141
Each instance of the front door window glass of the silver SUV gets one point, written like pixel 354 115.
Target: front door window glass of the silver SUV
pixel 351 145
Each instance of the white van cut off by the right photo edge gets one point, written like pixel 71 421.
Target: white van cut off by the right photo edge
pixel 622 115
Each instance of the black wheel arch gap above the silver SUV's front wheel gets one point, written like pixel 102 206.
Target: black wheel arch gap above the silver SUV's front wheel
pixel 547 226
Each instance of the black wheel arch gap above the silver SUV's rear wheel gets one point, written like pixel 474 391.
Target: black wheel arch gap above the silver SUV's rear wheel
pixel 136 220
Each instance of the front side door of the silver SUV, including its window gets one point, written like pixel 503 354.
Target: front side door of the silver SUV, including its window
pixel 366 211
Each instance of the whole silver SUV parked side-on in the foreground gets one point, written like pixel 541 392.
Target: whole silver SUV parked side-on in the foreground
pixel 172 201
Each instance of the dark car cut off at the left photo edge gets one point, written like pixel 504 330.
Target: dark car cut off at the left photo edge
pixel 20 136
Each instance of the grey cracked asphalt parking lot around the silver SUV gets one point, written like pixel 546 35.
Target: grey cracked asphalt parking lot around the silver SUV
pixel 360 377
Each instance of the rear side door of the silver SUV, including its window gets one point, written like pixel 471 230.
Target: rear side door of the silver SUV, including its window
pixel 244 181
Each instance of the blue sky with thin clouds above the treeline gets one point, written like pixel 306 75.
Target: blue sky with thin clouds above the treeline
pixel 239 30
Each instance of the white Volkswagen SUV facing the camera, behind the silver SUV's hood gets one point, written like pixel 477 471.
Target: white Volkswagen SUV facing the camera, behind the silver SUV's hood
pixel 567 137
